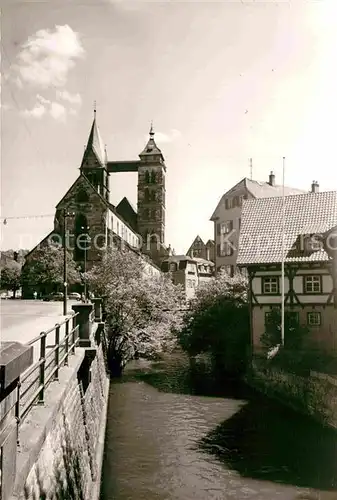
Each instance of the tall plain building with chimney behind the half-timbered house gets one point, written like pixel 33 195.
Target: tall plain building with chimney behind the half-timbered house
pixel 227 217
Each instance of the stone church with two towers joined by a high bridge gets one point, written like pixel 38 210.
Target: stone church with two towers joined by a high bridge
pixel 90 223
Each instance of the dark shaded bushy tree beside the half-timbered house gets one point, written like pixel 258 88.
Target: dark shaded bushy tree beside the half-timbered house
pixel 217 323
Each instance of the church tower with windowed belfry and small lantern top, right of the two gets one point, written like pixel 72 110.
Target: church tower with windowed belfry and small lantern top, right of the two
pixel 151 197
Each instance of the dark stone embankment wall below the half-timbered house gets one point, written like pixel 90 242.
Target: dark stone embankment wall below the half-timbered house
pixel 314 395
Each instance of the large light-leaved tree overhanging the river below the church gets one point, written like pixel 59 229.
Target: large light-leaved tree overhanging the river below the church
pixel 143 311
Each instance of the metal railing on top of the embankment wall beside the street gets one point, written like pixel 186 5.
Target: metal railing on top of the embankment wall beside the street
pixel 51 357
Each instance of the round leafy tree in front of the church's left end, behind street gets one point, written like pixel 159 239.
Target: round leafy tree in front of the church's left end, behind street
pixel 44 269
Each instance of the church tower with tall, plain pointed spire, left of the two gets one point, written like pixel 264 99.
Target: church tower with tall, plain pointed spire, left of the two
pixel 94 163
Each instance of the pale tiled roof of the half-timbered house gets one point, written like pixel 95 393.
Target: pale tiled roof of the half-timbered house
pixel 261 227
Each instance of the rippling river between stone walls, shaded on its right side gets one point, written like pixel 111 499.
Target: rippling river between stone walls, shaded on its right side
pixel 170 437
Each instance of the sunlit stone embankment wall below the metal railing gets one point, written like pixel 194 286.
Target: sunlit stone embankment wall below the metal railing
pixel 64 460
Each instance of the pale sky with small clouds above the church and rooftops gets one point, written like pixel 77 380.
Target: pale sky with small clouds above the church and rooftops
pixel 222 81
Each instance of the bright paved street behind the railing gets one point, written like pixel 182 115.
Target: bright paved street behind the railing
pixel 22 320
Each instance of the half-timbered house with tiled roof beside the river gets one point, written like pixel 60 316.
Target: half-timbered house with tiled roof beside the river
pixel 308 268
